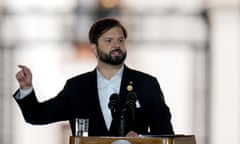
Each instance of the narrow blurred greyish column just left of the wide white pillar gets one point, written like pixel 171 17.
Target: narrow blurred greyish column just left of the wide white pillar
pixel 200 92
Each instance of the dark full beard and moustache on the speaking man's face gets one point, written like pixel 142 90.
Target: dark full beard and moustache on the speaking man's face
pixel 107 58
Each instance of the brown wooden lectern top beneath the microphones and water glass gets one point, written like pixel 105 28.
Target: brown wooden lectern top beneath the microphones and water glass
pixel 178 139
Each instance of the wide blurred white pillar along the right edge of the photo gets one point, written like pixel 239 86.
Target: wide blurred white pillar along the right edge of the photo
pixel 225 73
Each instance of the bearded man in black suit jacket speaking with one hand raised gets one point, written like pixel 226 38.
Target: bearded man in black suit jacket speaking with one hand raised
pixel 87 95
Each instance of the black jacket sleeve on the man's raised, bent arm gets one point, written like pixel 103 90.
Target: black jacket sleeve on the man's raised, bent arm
pixel 52 110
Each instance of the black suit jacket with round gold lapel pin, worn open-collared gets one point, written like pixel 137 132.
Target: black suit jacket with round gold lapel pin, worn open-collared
pixel 79 99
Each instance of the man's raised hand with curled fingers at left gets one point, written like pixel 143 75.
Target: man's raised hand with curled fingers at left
pixel 24 77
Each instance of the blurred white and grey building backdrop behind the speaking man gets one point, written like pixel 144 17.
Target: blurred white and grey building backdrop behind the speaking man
pixel 191 46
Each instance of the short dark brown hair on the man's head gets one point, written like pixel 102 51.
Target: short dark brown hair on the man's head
pixel 103 25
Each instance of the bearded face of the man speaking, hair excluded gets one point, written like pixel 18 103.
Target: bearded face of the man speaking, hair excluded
pixel 111 47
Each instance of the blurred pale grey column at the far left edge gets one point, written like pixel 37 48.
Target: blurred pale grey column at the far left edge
pixel 5 95
